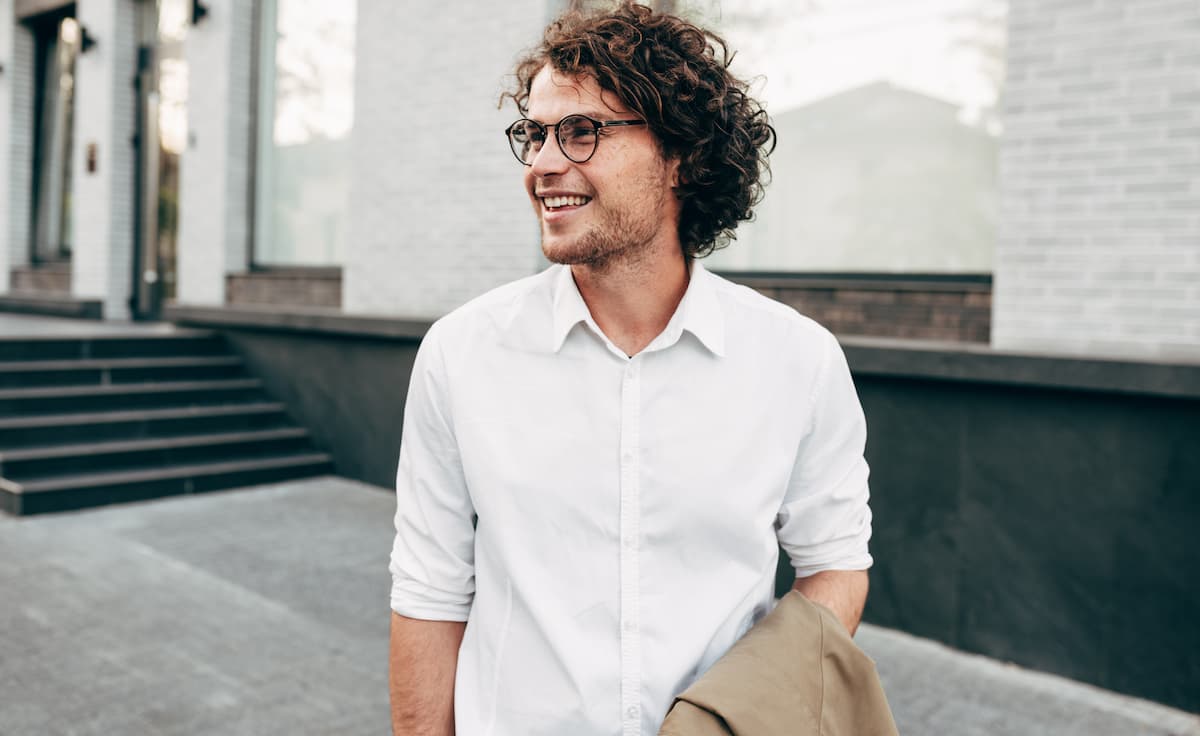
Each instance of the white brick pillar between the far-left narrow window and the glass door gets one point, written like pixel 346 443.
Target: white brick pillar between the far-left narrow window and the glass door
pixel 105 116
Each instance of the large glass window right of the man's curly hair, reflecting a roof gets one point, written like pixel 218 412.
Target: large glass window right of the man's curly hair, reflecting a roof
pixel 889 131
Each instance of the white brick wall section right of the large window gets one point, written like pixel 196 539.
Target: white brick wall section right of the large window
pixel 1100 248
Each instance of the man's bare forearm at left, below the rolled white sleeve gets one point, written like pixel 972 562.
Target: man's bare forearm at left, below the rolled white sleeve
pixel 422 671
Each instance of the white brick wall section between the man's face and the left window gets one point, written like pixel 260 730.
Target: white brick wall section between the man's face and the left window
pixel 437 210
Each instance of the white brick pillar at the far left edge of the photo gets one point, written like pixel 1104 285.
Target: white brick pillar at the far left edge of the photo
pixel 16 141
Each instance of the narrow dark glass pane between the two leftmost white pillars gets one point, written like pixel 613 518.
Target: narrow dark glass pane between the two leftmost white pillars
pixel 56 115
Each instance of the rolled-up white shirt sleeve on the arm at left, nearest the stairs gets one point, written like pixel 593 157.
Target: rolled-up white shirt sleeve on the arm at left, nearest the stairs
pixel 433 558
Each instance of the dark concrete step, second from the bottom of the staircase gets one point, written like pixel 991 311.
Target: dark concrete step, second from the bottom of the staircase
pixel 40 463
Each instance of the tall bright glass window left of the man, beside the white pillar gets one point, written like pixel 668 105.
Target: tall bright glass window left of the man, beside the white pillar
pixel 305 119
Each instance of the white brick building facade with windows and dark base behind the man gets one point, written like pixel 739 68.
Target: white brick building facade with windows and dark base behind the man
pixel 1017 181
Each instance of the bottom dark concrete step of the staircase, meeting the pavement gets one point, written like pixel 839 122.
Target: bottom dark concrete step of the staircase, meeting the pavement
pixel 67 493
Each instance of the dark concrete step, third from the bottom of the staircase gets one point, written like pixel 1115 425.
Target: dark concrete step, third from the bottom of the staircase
pixel 133 424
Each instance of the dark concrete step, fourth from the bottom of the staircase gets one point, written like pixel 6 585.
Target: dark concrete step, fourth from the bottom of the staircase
pixel 50 400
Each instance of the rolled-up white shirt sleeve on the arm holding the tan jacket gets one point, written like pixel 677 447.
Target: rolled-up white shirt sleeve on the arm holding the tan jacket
pixel 825 522
